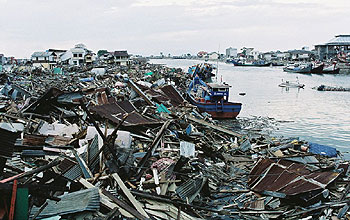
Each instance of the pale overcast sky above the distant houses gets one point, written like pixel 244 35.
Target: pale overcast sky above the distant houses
pixel 177 27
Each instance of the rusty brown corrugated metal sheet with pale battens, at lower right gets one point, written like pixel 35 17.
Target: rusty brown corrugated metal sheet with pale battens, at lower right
pixel 287 177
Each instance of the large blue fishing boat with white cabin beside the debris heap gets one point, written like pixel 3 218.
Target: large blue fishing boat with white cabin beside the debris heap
pixel 213 99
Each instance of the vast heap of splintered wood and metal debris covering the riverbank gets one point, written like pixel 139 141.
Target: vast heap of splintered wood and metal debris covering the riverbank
pixel 118 142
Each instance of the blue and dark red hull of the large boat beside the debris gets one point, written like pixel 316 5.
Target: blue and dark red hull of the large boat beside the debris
pixel 226 110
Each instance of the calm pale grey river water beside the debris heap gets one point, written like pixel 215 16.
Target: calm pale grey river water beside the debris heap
pixel 321 117
